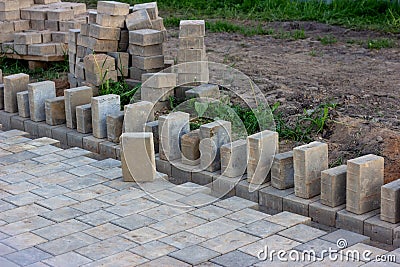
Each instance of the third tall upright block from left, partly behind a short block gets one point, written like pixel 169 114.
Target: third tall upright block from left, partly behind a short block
pixel 76 97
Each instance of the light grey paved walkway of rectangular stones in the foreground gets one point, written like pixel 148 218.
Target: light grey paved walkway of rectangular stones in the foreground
pixel 61 208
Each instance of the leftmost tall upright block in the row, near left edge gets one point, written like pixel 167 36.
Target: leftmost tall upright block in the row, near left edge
pixel 12 85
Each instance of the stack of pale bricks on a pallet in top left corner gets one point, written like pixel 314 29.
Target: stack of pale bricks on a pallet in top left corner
pixel 39 29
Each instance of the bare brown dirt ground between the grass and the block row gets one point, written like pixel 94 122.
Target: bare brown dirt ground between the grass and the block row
pixel 305 73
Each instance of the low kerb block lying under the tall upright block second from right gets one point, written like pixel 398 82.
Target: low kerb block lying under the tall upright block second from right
pixel 353 222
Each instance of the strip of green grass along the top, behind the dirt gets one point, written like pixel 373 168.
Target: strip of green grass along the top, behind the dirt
pixel 381 15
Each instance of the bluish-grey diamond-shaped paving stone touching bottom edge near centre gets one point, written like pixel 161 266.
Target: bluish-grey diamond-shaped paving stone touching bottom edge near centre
pixel 194 254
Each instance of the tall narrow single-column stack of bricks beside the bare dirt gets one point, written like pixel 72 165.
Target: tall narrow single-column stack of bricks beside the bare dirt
pixel 192 49
